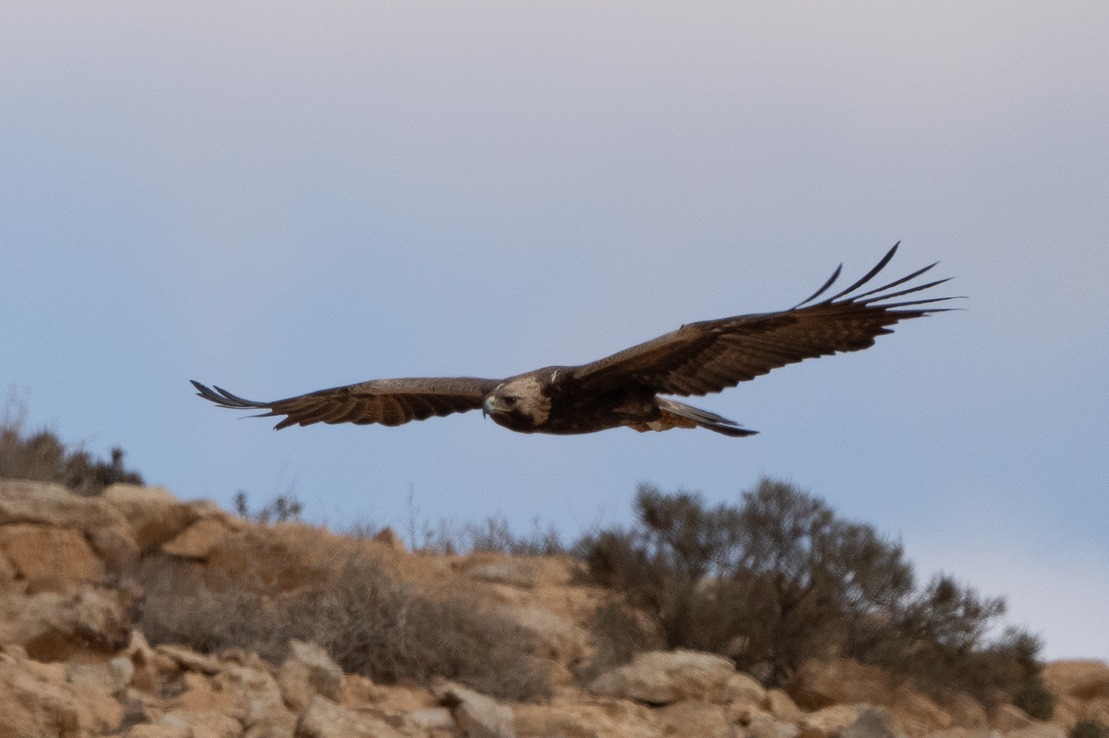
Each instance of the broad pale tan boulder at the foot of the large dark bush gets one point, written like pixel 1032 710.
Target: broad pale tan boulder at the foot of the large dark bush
pixel 666 678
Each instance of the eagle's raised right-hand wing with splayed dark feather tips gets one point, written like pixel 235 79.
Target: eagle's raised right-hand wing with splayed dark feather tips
pixel 709 357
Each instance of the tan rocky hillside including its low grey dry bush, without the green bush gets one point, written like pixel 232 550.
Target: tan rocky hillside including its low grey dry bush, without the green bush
pixel 135 614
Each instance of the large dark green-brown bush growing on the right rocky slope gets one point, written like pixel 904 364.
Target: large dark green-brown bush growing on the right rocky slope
pixel 779 580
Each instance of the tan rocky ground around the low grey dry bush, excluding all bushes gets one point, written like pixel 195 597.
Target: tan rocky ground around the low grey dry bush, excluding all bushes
pixel 75 660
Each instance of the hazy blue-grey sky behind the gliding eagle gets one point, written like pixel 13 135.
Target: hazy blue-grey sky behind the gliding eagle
pixel 284 197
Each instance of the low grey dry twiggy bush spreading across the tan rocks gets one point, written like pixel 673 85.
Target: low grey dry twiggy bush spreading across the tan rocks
pixel 363 615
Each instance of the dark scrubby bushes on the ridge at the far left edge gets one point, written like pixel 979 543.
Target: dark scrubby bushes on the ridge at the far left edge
pixel 43 457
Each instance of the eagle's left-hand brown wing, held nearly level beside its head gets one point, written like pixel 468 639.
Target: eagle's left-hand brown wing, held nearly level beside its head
pixel 389 402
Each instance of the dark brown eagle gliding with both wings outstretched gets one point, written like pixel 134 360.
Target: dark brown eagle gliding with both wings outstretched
pixel 628 388
